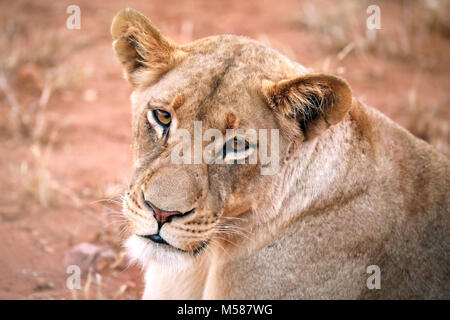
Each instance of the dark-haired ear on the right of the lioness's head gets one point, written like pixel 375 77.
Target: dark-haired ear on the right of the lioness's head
pixel 309 104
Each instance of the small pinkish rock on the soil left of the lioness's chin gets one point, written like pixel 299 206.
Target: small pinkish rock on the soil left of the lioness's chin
pixel 87 255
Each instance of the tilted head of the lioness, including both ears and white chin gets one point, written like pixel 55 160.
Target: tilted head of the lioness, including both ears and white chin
pixel 222 84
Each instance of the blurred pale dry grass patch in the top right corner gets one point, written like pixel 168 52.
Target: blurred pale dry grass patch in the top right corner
pixel 344 23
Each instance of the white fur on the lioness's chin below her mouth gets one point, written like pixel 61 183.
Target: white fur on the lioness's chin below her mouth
pixel 145 252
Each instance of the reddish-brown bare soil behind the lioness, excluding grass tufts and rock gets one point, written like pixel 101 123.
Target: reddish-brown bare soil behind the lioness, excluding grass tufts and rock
pixel 90 129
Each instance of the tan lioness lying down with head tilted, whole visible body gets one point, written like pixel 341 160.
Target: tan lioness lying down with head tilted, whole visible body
pixel 353 189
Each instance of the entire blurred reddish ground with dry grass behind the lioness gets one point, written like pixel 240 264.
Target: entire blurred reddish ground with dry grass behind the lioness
pixel 65 128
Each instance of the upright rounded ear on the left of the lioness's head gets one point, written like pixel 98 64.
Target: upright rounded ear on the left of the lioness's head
pixel 141 48
